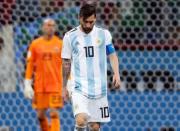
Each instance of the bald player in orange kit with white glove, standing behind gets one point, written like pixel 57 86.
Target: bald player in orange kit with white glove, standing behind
pixel 45 64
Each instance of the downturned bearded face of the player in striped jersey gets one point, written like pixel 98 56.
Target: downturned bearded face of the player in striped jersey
pixel 88 23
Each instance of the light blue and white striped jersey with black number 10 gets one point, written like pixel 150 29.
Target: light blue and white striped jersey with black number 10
pixel 88 54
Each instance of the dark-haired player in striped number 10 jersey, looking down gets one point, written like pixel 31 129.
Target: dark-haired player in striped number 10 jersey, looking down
pixel 84 53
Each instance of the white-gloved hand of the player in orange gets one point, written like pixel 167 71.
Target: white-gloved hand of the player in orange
pixel 28 90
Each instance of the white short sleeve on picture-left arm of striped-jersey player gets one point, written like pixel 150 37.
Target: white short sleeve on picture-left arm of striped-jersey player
pixel 66 48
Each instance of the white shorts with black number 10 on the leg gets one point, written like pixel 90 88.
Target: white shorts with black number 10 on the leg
pixel 96 109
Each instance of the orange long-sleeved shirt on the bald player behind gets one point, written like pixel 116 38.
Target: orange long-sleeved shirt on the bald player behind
pixel 45 63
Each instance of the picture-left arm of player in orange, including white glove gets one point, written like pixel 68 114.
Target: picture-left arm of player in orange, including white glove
pixel 28 91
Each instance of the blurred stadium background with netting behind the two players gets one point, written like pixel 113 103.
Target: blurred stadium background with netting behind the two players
pixel 146 35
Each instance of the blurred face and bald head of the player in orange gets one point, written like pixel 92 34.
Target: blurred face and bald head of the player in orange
pixel 49 27
